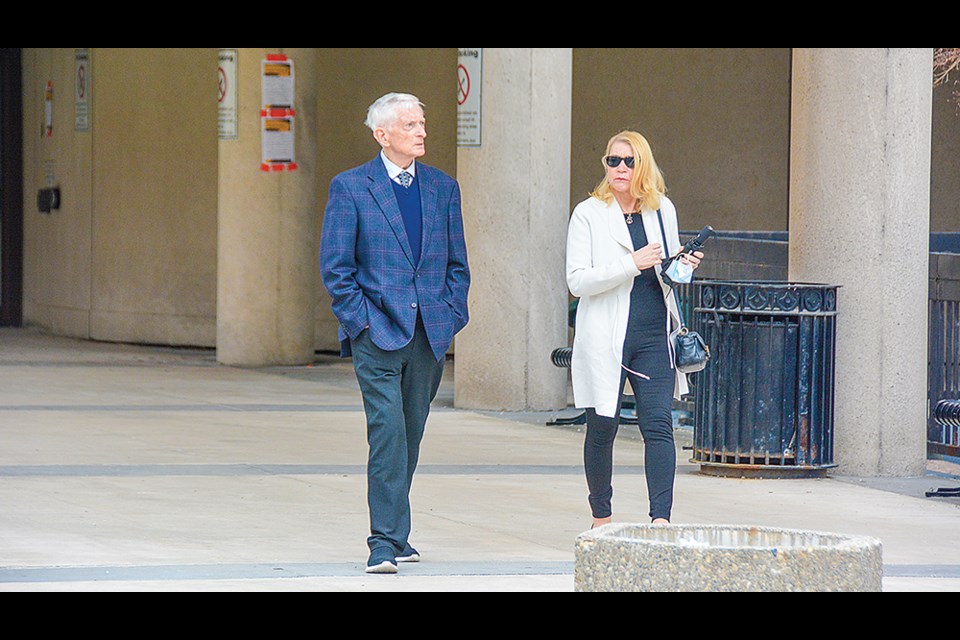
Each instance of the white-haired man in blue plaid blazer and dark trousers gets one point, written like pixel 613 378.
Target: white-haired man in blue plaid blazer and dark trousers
pixel 393 258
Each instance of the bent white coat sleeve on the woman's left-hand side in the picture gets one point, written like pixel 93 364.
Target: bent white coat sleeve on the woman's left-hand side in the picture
pixel 587 274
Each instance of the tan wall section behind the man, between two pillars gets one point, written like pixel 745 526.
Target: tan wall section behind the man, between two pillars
pixel 349 80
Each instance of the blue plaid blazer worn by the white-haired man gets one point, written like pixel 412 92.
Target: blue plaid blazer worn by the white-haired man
pixel 366 263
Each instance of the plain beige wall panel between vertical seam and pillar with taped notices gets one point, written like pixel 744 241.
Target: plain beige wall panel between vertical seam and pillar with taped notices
pixel 155 180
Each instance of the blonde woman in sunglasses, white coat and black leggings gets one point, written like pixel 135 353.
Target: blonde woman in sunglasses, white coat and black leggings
pixel 626 317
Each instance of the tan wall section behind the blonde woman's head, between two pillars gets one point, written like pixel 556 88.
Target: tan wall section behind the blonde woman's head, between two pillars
pixel 717 119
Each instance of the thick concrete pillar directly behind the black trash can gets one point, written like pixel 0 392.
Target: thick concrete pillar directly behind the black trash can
pixel 859 217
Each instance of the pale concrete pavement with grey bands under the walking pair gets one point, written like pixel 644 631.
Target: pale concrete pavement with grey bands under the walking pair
pixel 131 468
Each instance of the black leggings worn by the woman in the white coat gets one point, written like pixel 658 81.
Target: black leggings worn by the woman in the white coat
pixel 646 354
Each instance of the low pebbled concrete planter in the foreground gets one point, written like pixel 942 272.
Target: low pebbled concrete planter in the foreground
pixel 638 557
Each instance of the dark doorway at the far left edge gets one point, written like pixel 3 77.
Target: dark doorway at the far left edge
pixel 11 189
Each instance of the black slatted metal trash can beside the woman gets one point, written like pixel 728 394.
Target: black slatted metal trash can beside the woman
pixel 764 404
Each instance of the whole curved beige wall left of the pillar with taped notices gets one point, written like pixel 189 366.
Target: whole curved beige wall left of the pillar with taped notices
pixel 131 253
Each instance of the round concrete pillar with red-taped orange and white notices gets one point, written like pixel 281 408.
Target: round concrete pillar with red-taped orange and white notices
pixel 267 229
